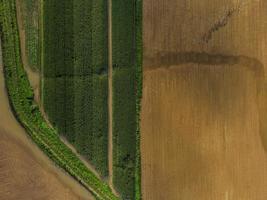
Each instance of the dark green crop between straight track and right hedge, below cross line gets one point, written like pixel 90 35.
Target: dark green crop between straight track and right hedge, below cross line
pixel 124 131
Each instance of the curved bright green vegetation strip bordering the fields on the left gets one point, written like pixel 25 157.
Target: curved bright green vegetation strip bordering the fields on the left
pixel 28 114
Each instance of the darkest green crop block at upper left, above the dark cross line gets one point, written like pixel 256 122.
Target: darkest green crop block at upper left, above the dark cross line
pixel 58 38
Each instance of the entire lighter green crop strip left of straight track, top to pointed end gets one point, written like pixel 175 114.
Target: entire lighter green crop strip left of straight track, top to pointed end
pixel 91 61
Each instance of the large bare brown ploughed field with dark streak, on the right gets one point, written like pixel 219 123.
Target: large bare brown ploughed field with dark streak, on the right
pixel 203 121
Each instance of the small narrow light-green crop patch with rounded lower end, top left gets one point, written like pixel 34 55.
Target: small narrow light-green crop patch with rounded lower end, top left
pixel 30 11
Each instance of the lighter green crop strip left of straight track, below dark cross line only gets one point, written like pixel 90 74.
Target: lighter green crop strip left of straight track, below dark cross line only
pixel 91 120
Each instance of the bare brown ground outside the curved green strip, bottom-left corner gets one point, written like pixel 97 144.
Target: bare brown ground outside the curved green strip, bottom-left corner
pixel 25 172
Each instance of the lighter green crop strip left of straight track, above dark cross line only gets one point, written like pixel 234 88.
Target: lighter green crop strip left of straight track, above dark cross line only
pixel 90 37
